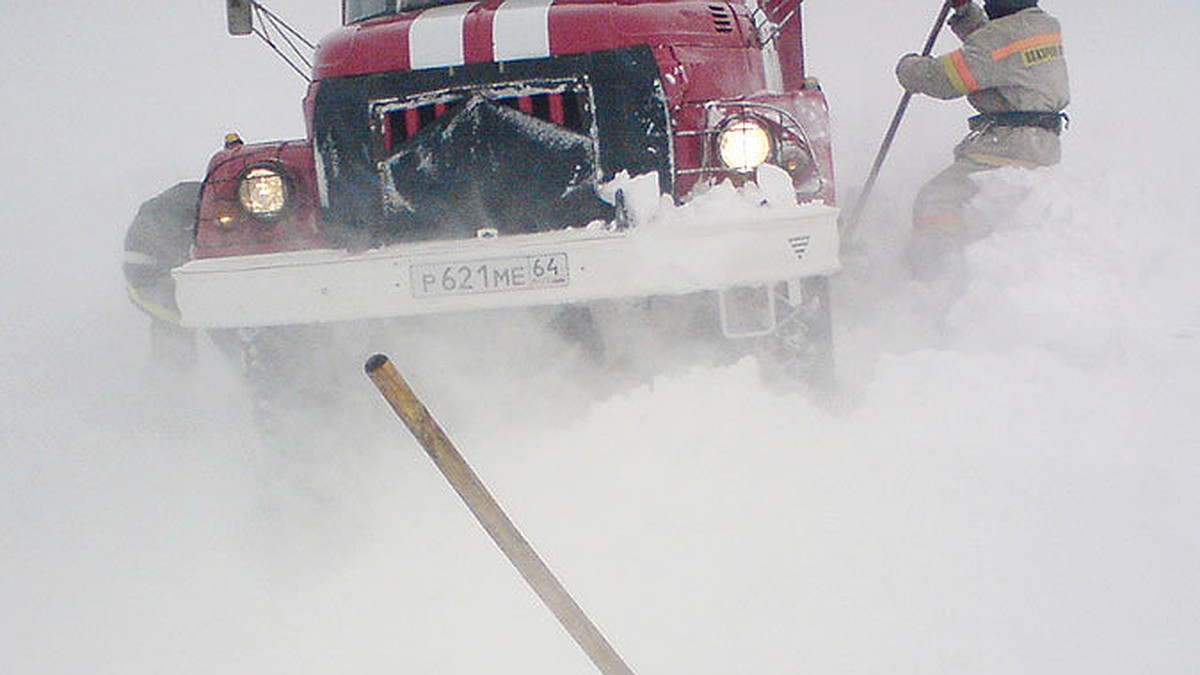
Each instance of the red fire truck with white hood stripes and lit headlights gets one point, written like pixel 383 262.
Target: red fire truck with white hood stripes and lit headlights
pixel 502 154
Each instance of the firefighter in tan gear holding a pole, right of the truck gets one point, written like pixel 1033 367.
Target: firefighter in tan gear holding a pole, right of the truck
pixel 1011 69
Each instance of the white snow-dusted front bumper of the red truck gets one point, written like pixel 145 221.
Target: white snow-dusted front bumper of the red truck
pixel 508 272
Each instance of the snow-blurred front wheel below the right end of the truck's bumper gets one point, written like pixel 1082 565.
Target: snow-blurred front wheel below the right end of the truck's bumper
pixel 800 351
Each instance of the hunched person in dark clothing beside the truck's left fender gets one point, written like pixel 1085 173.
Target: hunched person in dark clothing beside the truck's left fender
pixel 160 238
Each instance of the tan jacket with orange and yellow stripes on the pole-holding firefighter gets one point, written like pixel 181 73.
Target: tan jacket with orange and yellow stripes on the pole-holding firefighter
pixel 1007 65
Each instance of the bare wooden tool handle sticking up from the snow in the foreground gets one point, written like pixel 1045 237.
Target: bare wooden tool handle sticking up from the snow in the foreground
pixel 490 515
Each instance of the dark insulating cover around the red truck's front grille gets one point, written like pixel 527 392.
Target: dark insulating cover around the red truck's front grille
pixel 513 148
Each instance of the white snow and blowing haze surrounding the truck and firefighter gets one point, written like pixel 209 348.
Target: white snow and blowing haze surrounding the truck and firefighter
pixel 1011 483
